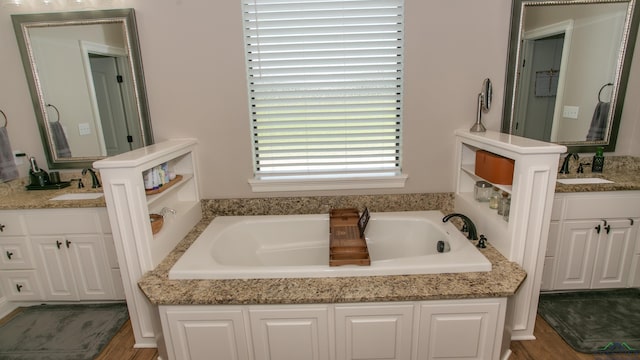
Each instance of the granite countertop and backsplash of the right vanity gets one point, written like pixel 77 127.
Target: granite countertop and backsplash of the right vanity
pixel 624 171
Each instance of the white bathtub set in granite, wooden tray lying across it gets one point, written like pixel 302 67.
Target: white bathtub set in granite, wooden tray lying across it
pixel 253 247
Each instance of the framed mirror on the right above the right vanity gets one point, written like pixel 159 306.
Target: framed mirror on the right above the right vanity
pixel 567 71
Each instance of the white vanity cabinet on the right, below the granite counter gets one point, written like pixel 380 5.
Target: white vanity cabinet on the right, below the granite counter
pixel 593 245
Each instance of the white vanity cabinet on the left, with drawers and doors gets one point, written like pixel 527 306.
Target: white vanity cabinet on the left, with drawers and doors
pixel 57 255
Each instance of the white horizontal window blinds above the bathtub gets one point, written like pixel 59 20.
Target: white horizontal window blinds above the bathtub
pixel 325 83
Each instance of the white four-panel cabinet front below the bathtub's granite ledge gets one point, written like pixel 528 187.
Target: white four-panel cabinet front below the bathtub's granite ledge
pixel 469 329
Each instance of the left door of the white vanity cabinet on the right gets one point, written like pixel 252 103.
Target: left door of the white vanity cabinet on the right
pixel 576 253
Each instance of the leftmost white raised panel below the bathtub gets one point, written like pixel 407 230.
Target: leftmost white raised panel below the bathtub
pixel 206 334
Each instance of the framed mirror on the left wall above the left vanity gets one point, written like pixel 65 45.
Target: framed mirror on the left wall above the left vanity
pixel 86 82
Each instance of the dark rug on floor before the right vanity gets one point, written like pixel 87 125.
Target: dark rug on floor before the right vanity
pixel 597 322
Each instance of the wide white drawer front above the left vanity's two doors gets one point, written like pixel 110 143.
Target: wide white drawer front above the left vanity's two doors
pixel 62 221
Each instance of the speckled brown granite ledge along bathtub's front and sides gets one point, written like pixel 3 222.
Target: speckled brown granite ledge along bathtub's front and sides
pixel 503 280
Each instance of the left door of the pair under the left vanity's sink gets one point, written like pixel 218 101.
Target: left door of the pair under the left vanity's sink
pixel 54 268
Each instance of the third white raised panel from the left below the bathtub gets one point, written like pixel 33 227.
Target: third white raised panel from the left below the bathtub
pixel 374 332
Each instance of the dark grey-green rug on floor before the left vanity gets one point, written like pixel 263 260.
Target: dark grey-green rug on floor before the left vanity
pixel 61 332
